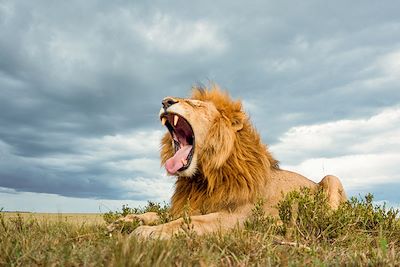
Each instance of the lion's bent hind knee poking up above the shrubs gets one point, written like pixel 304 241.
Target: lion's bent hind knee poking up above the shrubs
pixel 334 189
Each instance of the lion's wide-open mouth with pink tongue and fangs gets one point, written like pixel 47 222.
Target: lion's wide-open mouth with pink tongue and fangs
pixel 183 136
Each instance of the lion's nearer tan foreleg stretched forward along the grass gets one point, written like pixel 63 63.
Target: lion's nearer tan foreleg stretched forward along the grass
pixel 200 224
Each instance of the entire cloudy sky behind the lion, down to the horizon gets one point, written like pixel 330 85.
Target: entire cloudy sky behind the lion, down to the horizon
pixel 81 84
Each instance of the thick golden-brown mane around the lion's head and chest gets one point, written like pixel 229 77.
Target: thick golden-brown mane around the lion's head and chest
pixel 234 163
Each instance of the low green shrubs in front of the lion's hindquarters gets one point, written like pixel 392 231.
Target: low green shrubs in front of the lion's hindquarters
pixel 308 216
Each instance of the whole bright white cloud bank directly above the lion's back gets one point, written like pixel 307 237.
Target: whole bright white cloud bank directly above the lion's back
pixel 362 152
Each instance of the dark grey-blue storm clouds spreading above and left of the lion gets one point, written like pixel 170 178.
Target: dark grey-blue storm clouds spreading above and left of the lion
pixel 72 72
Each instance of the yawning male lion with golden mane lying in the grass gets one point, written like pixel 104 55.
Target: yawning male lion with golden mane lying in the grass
pixel 221 166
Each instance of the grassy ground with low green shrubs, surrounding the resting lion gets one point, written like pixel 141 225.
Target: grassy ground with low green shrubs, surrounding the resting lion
pixel 308 233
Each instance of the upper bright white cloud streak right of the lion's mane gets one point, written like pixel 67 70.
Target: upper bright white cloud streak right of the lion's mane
pixel 378 133
